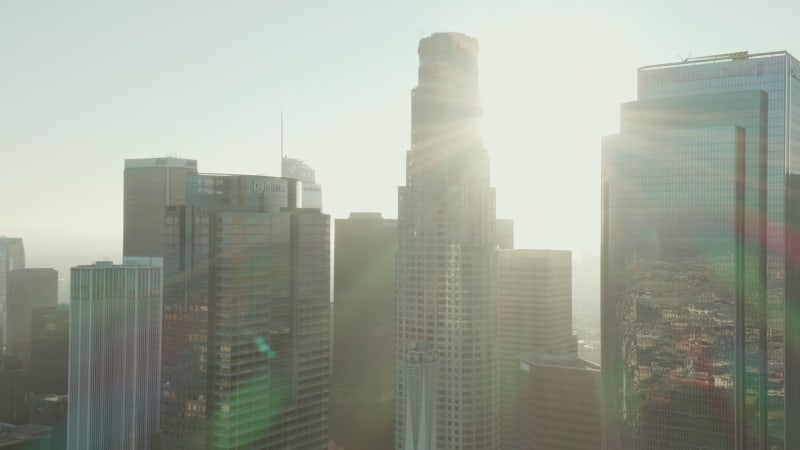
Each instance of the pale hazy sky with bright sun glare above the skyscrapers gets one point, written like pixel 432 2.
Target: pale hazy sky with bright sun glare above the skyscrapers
pixel 84 85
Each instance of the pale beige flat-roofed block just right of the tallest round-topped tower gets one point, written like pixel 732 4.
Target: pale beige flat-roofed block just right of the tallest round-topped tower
pixel 534 315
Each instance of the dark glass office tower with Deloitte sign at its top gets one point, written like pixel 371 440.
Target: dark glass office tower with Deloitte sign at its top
pixel 246 317
